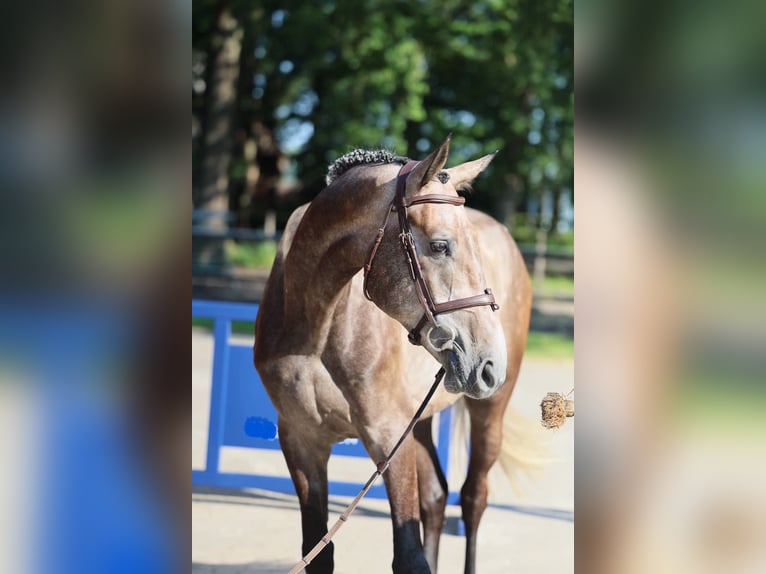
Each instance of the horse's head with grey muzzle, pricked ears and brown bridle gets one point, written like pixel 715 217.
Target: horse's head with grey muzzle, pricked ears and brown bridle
pixel 431 287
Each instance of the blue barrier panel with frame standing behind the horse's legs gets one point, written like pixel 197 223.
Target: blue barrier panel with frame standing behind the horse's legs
pixel 241 413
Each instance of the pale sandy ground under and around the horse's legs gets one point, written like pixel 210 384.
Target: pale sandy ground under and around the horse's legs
pixel 248 532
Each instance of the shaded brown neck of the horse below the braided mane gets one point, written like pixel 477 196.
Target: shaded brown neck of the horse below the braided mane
pixel 329 248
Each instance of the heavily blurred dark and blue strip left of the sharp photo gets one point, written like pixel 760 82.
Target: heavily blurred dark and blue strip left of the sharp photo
pixel 94 223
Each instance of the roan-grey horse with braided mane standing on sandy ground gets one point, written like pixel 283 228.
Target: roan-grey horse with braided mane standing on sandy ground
pixel 336 363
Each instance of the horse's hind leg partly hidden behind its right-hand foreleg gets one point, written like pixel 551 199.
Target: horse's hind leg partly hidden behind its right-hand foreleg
pixel 432 489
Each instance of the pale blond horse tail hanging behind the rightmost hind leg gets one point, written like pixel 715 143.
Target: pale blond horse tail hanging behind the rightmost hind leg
pixel 523 456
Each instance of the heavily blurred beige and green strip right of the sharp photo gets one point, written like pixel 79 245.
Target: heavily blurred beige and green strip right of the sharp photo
pixel 671 324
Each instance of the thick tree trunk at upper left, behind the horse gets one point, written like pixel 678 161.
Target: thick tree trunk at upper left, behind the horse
pixel 212 192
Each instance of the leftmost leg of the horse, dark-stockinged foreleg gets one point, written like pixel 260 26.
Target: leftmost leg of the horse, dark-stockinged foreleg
pixel 306 458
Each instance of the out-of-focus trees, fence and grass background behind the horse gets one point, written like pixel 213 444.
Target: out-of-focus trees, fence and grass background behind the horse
pixel 282 89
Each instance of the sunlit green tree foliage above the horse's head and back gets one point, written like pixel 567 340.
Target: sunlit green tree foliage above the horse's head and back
pixel 332 75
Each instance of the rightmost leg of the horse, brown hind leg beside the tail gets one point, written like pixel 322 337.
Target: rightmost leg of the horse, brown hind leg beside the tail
pixel 486 440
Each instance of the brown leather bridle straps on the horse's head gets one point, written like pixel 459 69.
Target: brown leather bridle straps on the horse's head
pixel 430 307
